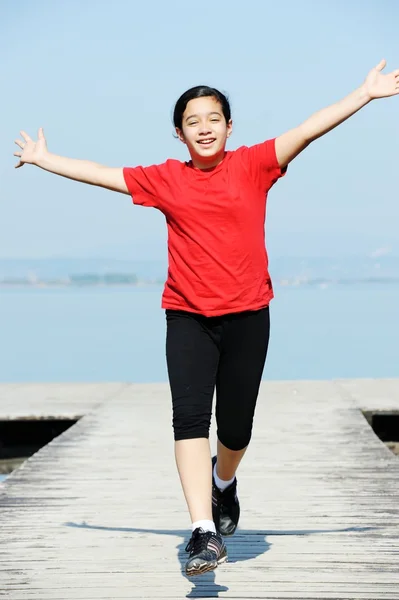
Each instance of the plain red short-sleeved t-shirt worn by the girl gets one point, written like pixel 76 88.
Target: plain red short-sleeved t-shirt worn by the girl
pixel 216 237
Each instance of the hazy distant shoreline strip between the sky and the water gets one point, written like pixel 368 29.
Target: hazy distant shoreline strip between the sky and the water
pixel 317 272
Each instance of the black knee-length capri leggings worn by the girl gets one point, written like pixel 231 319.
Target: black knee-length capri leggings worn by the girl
pixel 228 352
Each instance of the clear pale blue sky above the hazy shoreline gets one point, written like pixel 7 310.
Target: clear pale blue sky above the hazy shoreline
pixel 102 78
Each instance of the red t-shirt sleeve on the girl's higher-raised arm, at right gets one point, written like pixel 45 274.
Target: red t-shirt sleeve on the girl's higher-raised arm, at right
pixel 262 163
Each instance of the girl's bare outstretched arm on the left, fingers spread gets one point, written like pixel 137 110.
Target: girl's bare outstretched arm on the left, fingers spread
pixel 36 153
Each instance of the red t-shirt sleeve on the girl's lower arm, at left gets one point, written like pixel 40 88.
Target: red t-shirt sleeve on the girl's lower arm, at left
pixel 146 185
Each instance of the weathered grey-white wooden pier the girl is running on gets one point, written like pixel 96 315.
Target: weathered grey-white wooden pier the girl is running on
pixel 99 514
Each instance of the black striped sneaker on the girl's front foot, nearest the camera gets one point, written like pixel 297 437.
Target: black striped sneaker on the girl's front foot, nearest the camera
pixel 207 551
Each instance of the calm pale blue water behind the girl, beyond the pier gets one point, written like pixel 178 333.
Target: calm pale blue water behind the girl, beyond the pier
pixel 117 334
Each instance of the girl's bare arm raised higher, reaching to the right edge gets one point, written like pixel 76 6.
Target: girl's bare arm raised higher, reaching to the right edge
pixel 376 85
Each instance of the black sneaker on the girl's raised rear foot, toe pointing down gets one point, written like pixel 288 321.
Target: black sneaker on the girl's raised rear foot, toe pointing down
pixel 225 507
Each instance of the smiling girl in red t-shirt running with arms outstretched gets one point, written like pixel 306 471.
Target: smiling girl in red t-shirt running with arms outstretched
pixel 218 287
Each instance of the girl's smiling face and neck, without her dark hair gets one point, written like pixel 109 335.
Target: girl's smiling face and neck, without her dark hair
pixel 204 131
